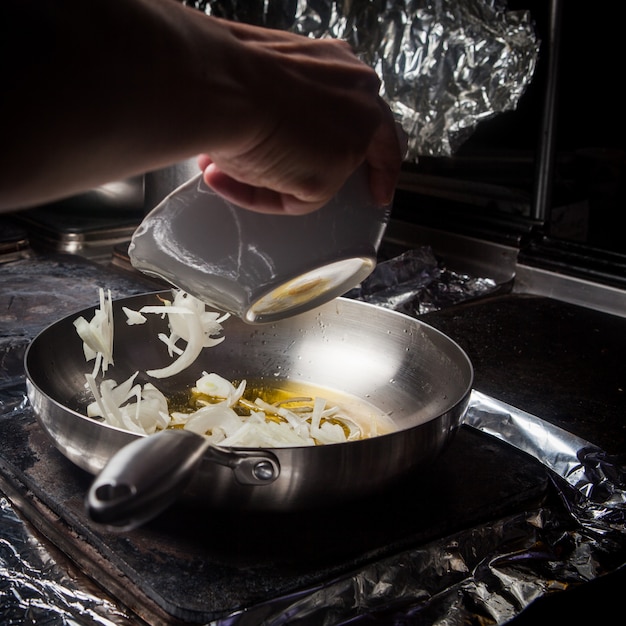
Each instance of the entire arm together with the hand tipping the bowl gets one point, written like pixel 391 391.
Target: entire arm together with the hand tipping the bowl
pixel 100 90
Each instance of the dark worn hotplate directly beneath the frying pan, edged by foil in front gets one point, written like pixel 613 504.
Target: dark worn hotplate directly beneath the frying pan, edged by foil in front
pixel 198 565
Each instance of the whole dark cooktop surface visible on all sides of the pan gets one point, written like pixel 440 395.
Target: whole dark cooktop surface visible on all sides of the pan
pixel 559 361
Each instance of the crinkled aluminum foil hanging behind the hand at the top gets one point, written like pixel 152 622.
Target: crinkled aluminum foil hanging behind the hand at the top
pixel 444 65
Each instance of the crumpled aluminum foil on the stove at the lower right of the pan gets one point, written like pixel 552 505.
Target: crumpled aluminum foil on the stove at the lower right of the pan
pixel 492 572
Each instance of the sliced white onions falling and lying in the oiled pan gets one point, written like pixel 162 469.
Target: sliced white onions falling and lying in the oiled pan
pixel 145 410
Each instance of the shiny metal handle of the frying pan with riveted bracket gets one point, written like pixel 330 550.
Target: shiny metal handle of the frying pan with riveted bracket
pixel 146 476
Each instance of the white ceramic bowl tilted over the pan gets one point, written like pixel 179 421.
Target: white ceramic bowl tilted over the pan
pixel 260 267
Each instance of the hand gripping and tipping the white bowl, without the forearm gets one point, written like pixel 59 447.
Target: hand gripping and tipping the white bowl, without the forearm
pixel 316 116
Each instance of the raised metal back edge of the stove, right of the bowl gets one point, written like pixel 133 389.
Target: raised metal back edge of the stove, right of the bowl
pixel 487 259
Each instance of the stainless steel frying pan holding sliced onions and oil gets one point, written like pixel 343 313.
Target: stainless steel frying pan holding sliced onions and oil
pixel 404 367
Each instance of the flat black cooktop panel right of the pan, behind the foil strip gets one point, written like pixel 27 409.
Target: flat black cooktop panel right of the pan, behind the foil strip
pixel 563 363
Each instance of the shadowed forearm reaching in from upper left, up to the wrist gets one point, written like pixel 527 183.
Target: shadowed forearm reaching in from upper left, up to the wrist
pixel 101 90
